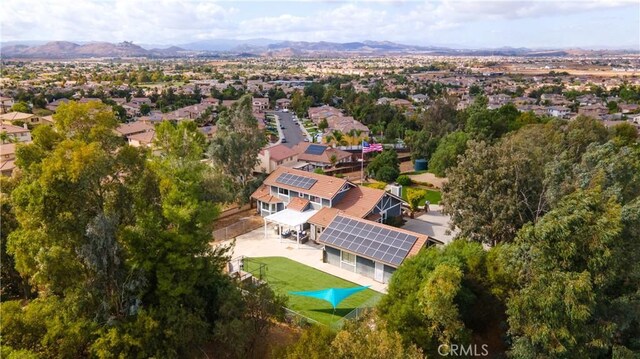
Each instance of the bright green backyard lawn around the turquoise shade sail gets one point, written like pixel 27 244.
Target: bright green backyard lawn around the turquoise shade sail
pixel 285 275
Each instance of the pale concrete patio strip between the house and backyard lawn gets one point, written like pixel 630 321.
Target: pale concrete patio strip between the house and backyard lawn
pixel 253 244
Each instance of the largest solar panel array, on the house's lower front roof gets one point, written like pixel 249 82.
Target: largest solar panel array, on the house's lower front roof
pixel 381 244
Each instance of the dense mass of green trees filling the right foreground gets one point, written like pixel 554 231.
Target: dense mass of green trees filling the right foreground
pixel 546 263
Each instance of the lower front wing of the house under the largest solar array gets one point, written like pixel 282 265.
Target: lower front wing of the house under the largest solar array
pixel 368 248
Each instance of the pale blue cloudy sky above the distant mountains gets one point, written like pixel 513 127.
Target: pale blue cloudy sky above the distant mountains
pixel 598 24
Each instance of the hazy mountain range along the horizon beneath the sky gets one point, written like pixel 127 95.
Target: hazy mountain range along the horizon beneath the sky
pixel 259 47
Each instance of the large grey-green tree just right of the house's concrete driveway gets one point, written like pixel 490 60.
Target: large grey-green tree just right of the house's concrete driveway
pixel 495 189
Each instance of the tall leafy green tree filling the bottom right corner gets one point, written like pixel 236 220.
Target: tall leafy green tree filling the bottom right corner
pixel 578 273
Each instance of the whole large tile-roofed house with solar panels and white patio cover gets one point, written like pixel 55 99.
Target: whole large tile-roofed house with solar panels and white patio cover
pixel 344 217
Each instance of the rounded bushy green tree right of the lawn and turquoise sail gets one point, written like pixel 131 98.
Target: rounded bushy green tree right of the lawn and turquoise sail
pixel 433 298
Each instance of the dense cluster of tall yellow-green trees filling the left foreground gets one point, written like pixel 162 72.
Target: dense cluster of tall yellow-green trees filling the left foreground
pixel 105 248
